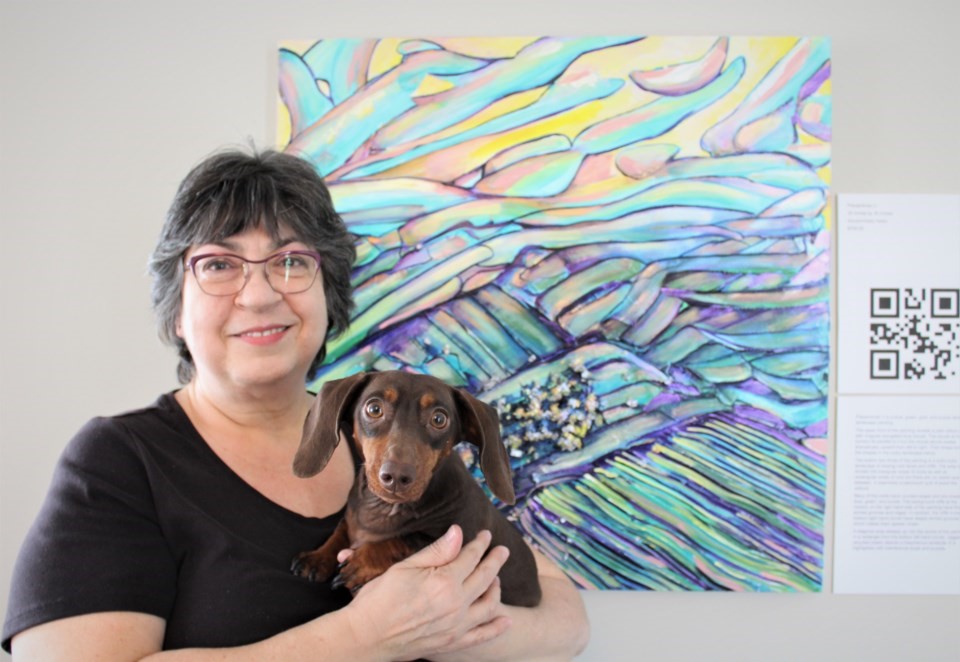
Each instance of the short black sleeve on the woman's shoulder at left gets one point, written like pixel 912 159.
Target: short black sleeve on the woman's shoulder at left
pixel 96 544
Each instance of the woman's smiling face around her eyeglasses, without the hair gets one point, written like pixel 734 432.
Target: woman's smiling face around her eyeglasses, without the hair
pixel 257 337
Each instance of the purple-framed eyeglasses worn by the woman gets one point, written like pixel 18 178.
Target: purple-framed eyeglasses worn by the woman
pixel 288 272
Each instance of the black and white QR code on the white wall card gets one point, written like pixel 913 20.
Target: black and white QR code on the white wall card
pixel 914 333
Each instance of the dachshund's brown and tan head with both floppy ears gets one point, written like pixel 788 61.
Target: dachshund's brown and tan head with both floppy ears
pixel 402 425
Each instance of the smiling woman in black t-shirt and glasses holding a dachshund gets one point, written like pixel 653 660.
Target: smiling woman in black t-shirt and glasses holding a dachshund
pixel 170 530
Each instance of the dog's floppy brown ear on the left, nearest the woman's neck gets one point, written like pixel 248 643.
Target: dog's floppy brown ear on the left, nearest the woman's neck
pixel 321 431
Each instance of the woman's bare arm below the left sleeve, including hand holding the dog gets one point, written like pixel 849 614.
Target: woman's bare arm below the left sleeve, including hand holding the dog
pixel 445 597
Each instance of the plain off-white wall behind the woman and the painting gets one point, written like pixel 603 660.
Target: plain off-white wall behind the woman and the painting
pixel 104 106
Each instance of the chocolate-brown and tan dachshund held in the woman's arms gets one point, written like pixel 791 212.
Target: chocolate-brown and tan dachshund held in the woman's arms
pixel 411 486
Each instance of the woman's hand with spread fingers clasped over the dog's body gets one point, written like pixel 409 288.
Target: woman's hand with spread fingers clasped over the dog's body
pixel 443 598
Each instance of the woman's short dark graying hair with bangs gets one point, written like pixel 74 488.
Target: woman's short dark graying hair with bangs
pixel 231 192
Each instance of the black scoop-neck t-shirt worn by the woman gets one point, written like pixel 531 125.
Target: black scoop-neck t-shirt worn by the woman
pixel 143 516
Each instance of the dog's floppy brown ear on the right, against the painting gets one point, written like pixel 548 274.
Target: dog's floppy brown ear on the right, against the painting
pixel 481 427
